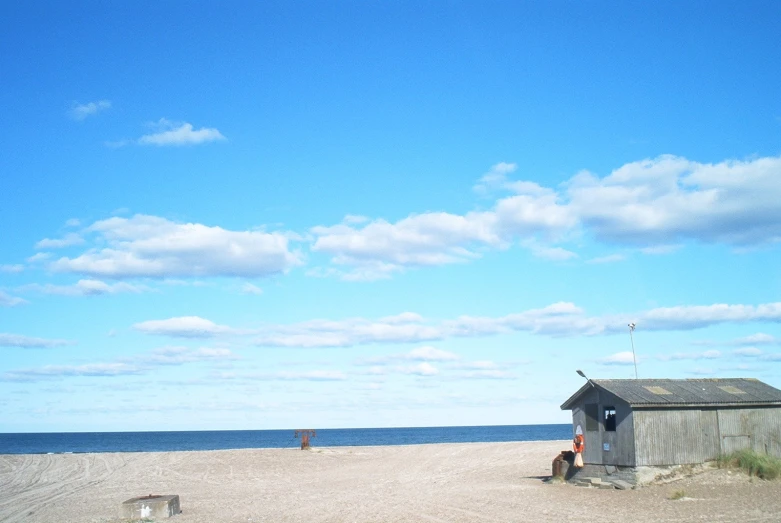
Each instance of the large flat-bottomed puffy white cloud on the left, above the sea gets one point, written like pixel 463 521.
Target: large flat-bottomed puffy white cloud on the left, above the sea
pixel 149 246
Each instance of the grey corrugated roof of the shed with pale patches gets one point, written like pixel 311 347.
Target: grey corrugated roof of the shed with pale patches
pixel 705 392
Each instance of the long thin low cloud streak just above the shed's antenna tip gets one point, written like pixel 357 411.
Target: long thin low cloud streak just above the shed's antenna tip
pixel 562 319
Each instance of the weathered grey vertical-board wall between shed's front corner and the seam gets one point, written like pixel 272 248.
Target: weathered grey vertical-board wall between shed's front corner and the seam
pixel 672 437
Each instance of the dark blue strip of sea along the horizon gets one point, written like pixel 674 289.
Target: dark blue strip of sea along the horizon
pixel 41 443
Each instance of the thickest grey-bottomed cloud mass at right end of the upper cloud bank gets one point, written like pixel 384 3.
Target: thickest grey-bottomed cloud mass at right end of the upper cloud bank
pixel 658 201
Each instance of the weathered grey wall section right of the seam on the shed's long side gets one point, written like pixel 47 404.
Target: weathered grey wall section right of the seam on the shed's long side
pixel 757 429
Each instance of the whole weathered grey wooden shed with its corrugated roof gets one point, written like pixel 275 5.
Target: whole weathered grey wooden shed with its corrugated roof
pixel 662 422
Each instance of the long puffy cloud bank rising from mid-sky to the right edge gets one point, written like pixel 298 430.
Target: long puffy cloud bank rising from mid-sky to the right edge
pixel 652 204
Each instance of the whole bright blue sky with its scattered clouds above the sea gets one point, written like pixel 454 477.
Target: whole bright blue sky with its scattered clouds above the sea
pixel 352 214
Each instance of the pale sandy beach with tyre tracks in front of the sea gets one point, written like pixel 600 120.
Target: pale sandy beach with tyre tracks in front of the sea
pixel 444 482
